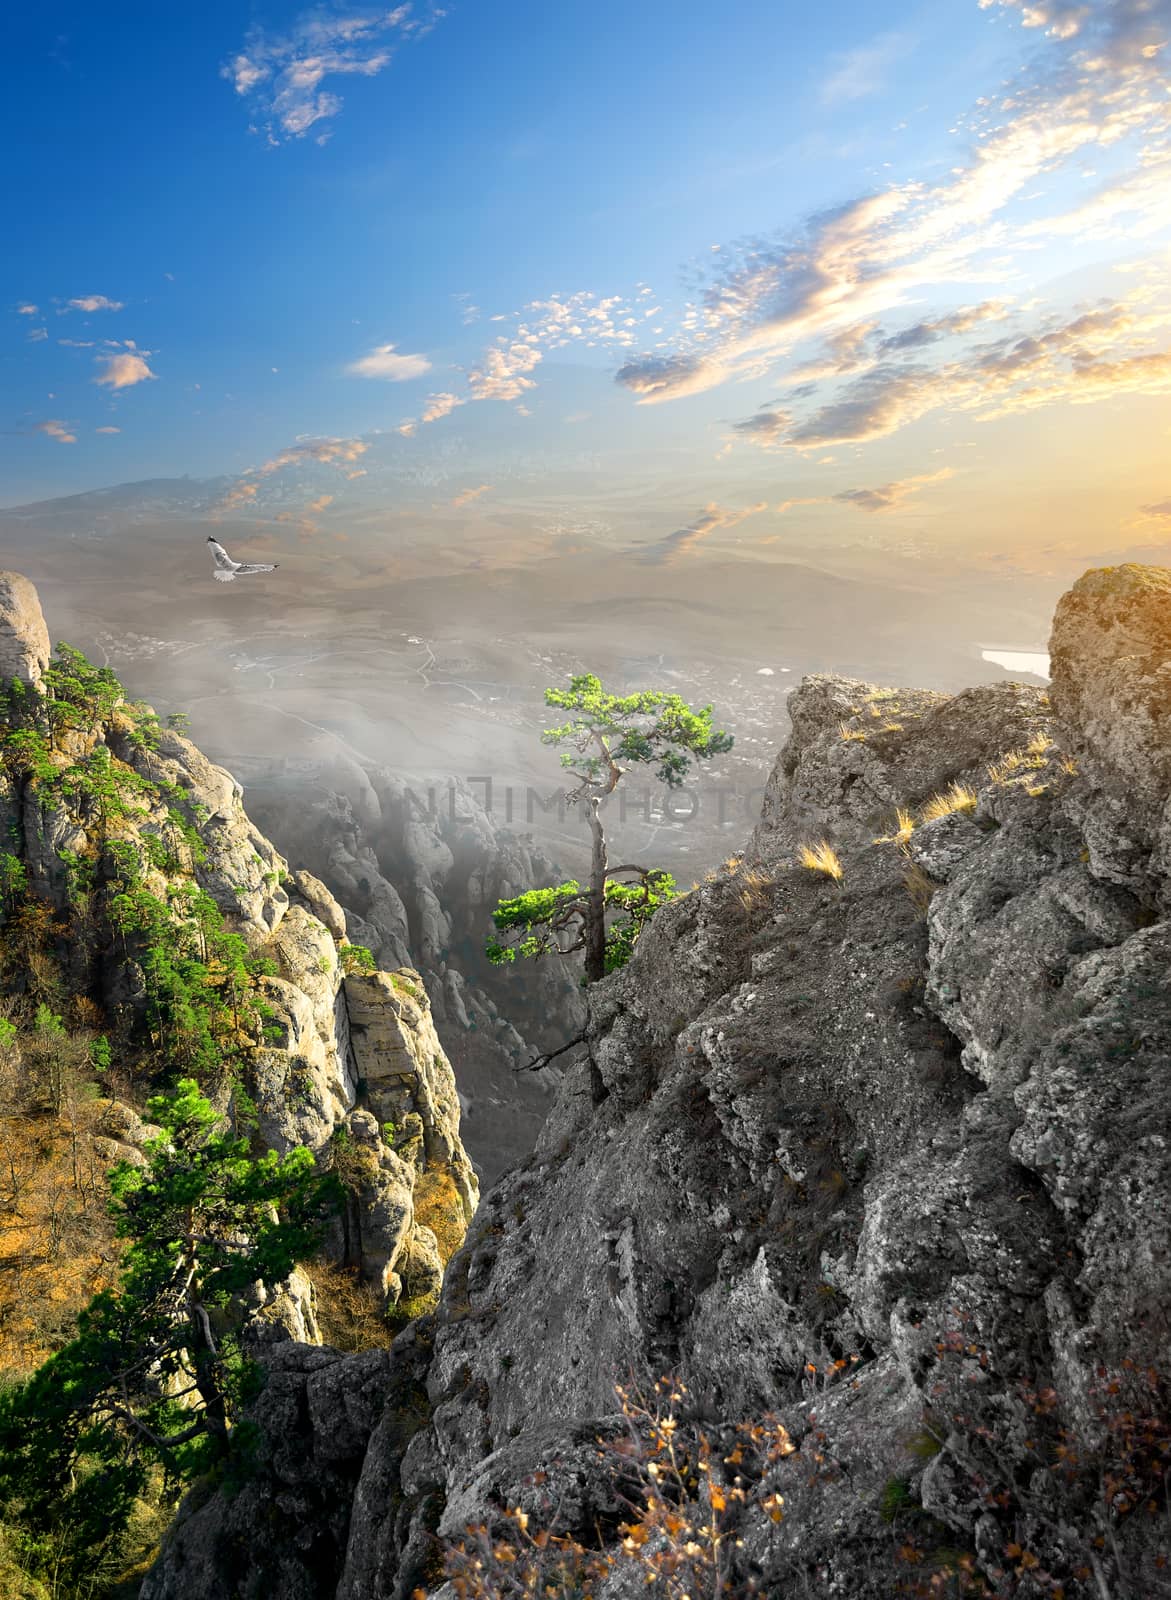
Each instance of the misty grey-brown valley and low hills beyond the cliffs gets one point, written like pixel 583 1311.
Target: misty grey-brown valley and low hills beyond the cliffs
pixel 423 646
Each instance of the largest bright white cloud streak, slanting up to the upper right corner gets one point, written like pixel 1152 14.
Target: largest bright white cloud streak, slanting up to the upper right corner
pixel 1097 87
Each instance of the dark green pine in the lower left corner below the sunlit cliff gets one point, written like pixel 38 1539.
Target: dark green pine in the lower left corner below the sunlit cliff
pixel 156 1375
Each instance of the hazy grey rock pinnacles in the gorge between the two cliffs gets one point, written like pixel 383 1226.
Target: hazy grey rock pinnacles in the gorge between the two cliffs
pixel 420 870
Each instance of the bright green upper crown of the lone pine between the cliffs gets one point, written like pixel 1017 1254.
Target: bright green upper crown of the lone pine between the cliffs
pixel 649 727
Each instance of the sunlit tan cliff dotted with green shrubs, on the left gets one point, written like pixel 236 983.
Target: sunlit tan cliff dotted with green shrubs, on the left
pixel 137 882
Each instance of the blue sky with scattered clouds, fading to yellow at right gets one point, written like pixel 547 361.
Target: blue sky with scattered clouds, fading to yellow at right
pixel 836 263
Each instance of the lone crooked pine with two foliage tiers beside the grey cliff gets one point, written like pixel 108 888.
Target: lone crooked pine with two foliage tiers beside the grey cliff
pixel 607 735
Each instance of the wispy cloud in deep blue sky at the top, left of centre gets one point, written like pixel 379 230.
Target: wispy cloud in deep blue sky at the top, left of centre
pixel 284 76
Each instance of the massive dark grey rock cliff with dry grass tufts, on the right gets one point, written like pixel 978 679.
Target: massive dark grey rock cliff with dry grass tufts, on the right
pixel 873 1156
